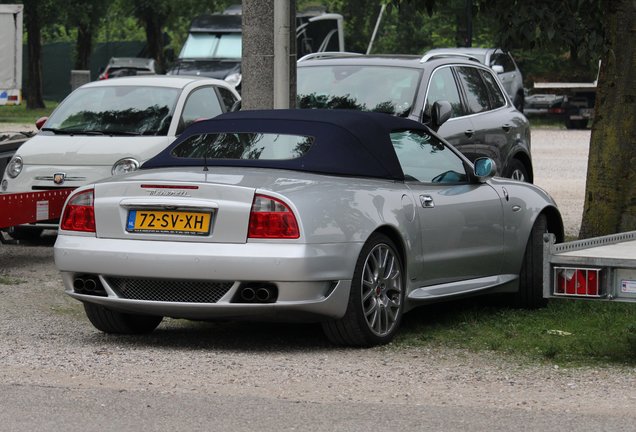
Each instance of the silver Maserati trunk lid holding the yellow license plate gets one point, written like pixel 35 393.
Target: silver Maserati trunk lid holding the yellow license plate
pixel 193 208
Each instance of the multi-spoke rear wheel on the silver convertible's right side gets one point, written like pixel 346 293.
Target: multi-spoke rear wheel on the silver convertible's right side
pixel 376 300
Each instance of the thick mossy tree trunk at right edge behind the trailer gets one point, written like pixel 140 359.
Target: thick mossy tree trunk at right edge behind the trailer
pixel 610 199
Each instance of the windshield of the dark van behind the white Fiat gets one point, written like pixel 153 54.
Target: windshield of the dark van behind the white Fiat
pixel 212 45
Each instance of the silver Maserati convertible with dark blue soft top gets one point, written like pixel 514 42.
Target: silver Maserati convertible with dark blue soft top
pixel 345 218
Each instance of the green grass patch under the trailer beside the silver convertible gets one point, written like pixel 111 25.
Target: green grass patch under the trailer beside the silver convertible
pixel 566 333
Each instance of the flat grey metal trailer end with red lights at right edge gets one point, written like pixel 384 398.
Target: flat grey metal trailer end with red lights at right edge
pixel 599 268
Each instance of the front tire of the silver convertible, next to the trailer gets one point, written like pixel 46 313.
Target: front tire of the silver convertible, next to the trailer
pixel 530 294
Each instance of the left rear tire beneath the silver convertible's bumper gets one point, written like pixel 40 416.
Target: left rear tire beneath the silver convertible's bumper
pixel 110 321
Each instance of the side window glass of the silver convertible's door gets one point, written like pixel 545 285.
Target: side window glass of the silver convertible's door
pixel 426 159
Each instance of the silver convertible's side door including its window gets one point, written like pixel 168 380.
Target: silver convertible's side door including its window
pixel 460 221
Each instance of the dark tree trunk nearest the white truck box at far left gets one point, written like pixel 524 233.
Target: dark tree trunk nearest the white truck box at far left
pixel 34 45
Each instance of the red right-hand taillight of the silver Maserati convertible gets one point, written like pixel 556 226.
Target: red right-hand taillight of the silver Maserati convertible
pixel 271 218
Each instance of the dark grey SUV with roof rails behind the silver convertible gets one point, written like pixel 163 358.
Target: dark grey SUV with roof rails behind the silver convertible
pixel 459 98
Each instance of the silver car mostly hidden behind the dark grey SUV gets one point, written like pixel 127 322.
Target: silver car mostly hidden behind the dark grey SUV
pixel 500 61
